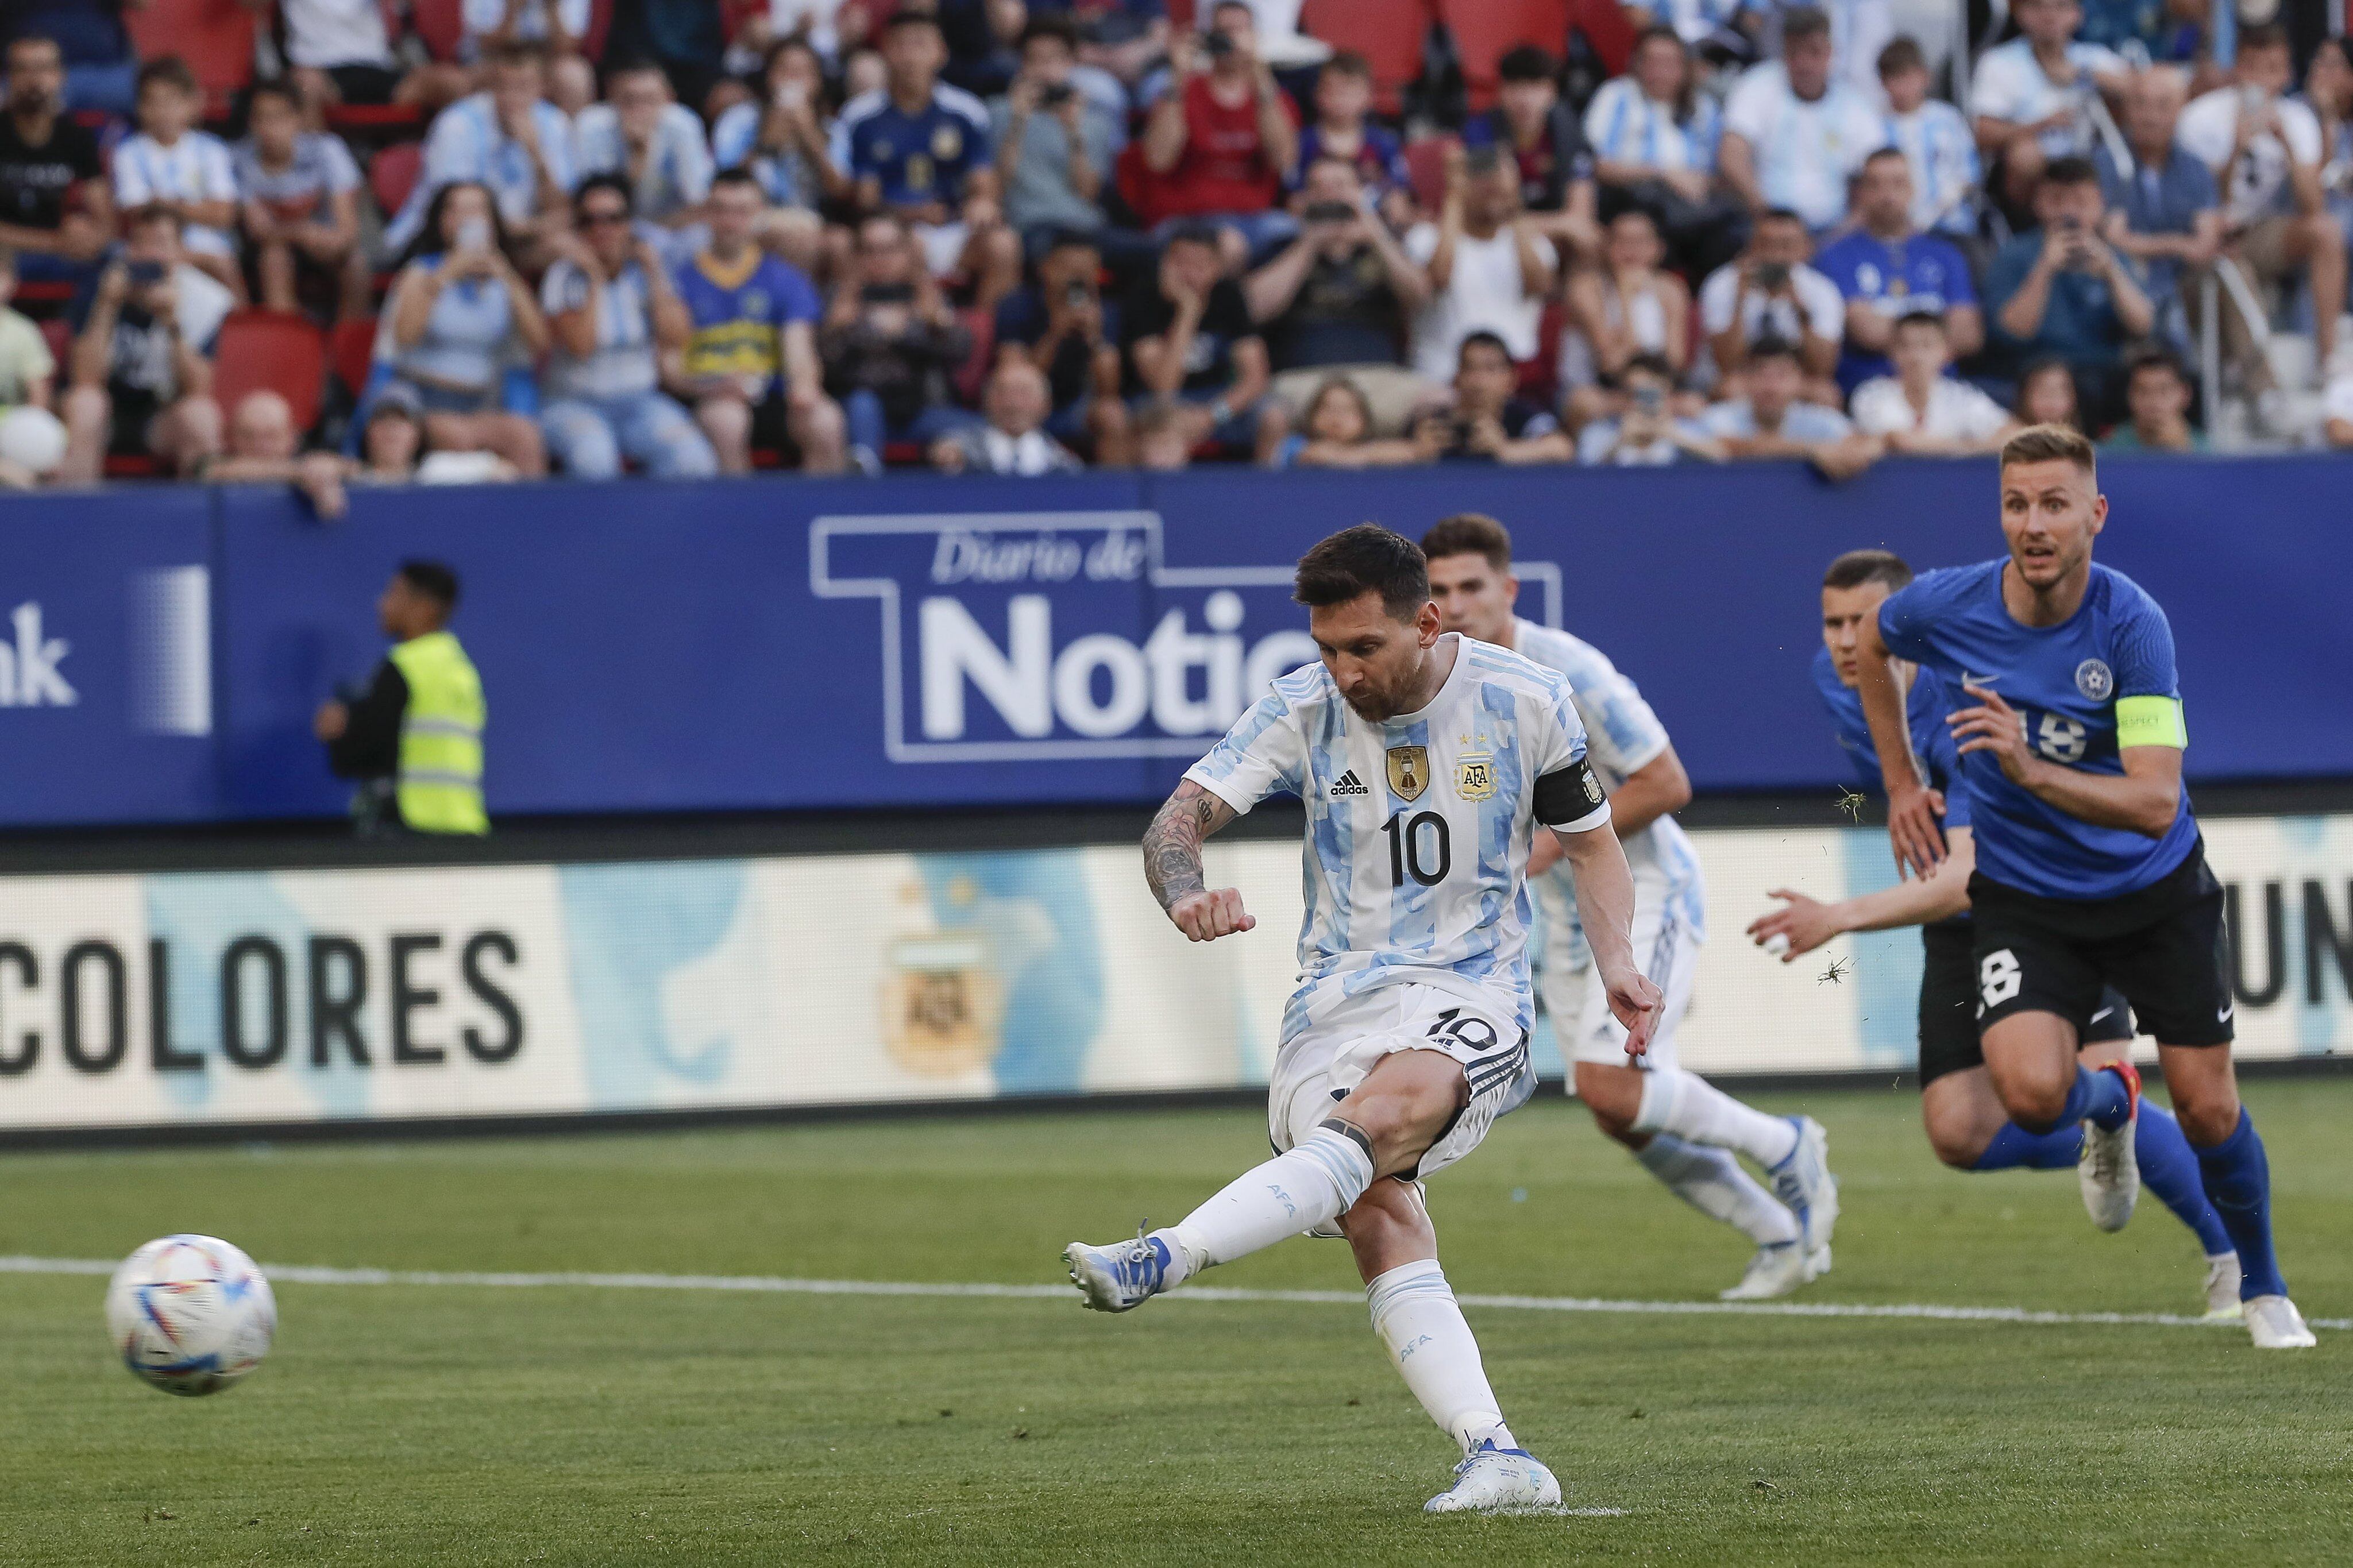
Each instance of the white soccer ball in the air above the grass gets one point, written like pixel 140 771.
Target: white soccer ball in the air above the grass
pixel 192 1315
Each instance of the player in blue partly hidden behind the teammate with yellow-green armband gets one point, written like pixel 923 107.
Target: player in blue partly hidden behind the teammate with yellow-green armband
pixel 1966 1120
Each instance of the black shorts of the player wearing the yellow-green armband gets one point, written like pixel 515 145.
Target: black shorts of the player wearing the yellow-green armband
pixel 2161 946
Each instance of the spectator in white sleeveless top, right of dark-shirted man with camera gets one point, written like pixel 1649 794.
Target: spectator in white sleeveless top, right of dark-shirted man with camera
pixel 1488 267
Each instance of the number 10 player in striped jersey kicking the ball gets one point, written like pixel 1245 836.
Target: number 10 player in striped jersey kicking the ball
pixel 1425 763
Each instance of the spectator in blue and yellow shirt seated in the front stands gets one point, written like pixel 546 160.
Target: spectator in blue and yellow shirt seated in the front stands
pixel 752 368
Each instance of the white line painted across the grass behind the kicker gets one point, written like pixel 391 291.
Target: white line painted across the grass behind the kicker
pixel 766 1285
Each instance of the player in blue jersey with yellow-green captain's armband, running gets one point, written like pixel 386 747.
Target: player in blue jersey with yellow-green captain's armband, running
pixel 2091 869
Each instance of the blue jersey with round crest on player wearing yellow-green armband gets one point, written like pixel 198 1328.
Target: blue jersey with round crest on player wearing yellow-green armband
pixel 2067 683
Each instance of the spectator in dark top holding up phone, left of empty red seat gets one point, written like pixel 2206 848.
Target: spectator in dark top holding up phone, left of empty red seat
pixel 142 356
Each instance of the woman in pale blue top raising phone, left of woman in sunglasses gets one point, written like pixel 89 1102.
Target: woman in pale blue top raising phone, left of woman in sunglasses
pixel 458 330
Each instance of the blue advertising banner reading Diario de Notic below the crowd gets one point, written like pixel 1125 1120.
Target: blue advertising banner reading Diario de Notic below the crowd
pixel 919 641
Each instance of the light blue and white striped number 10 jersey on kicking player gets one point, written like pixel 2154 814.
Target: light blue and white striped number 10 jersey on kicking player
pixel 1418 829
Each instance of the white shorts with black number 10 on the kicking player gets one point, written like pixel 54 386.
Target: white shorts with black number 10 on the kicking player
pixel 1326 1061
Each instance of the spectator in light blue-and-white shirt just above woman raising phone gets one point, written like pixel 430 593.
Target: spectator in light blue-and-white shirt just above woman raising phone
pixel 512 142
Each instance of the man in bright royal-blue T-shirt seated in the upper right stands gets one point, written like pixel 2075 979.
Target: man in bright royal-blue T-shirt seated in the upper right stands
pixel 1886 269
